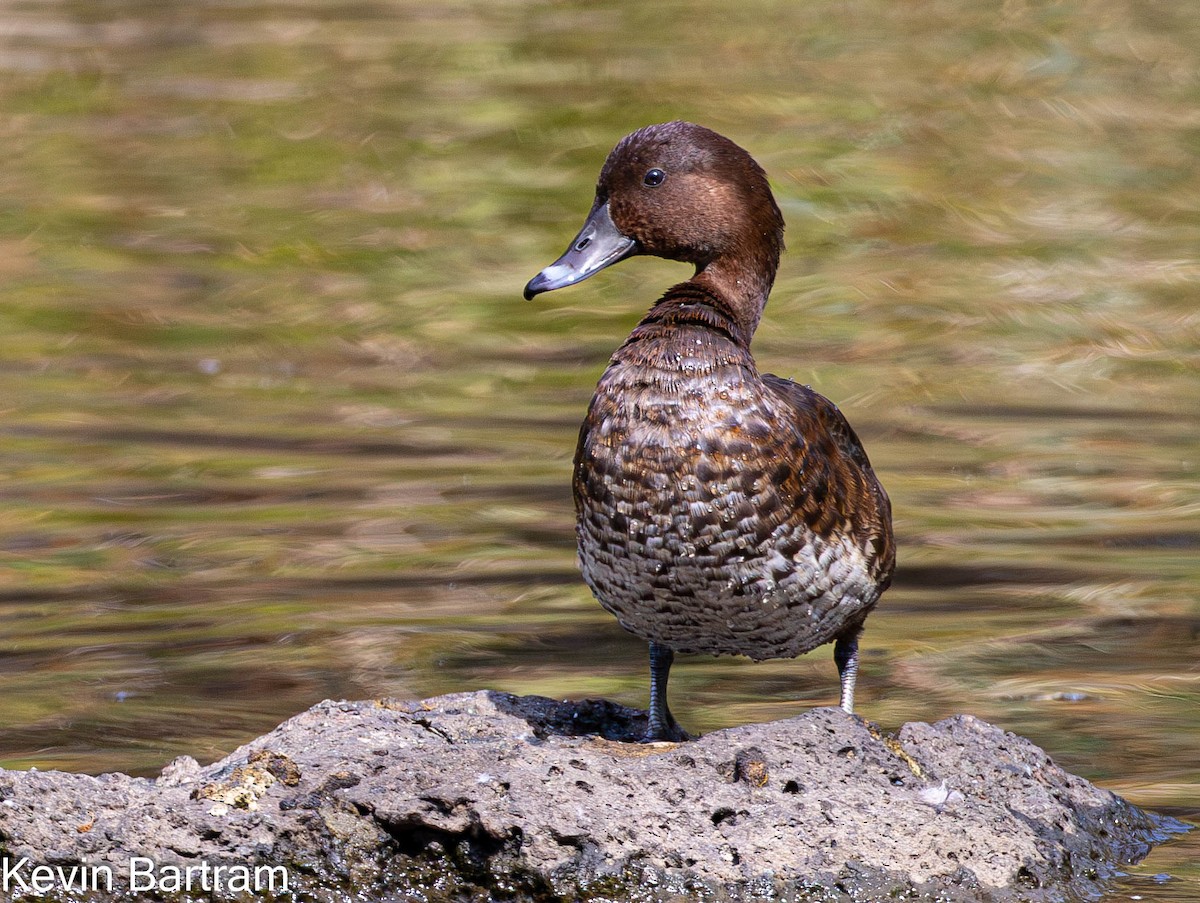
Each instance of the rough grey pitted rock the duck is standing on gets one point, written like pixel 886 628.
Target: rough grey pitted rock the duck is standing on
pixel 485 796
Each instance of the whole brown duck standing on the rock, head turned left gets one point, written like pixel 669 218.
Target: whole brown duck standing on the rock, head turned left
pixel 719 511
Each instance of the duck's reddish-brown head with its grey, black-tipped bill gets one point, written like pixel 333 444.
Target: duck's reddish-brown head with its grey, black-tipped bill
pixel 683 193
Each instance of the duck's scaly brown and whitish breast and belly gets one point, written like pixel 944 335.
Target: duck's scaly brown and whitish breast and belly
pixel 689 525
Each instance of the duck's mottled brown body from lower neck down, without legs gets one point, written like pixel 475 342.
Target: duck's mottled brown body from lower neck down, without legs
pixel 721 511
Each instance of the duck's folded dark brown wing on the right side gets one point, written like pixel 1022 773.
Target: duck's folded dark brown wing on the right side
pixel 831 479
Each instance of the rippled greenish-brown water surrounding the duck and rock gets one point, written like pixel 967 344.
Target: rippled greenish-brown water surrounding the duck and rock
pixel 278 426
